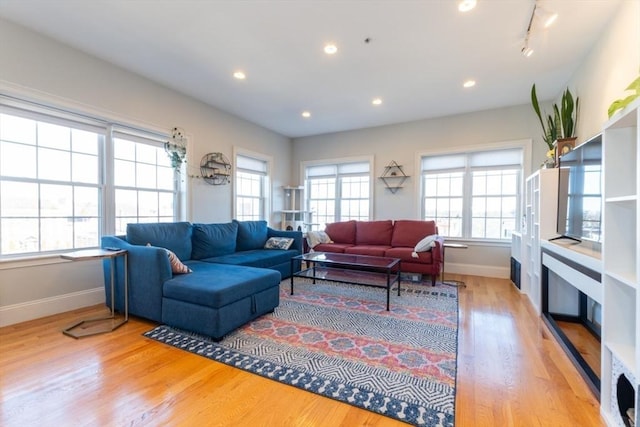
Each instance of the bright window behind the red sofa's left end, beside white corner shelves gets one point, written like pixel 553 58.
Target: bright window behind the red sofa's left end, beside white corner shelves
pixel 338 192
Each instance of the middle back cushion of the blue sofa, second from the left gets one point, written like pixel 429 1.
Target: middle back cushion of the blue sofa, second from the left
pixel 210 240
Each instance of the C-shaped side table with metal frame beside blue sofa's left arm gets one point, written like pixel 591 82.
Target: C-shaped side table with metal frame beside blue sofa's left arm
pixel 109 323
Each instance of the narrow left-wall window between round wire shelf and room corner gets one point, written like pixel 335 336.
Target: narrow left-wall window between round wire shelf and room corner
pixel 251 188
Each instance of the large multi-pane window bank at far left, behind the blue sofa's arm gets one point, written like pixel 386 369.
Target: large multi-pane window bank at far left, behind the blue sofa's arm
pixel 60 190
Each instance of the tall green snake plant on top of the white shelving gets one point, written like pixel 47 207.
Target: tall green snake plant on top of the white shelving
pixel 561 125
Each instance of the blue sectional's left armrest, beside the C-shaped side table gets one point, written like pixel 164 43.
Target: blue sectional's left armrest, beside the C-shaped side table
pixel 148 267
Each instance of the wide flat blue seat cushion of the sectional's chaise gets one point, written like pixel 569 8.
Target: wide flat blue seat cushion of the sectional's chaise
pixel 217 285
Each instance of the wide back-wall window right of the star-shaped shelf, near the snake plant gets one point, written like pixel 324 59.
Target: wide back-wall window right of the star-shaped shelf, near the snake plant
pixel 473 195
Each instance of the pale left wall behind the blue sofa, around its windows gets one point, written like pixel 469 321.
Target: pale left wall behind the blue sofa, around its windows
pixel 39 67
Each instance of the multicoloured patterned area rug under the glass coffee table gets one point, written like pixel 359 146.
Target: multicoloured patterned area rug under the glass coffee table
pixel 339 341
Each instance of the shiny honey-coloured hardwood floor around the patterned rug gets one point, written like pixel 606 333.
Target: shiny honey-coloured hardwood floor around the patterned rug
pixel 511 372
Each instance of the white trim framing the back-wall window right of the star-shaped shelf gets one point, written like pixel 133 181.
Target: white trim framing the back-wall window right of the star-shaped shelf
pixel 526 146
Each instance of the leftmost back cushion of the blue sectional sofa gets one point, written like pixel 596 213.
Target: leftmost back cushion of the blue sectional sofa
pixel 175 236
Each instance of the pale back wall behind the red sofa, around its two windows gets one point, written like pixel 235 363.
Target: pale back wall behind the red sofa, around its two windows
pixel 405 142
